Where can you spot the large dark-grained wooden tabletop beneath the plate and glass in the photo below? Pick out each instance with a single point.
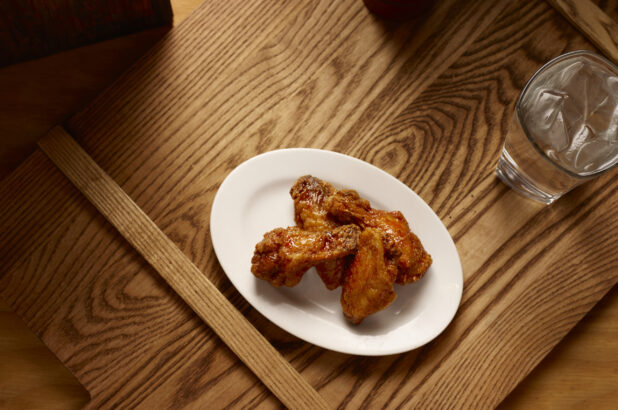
(429, 106)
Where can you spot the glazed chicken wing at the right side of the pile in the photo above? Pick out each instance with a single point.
(405, 255)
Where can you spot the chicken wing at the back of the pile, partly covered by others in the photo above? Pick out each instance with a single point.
(309, 194)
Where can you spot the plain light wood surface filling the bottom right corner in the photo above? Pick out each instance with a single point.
(580, 373)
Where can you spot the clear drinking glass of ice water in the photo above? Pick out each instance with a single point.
(565, 127)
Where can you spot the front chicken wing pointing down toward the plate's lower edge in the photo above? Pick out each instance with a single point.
(368, 285)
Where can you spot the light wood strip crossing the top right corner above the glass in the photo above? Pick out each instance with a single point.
(597, 26)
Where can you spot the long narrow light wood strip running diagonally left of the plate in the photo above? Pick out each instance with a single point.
(179, 272)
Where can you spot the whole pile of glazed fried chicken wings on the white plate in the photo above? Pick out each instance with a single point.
(352, 245)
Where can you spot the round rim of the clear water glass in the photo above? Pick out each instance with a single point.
(524, 91)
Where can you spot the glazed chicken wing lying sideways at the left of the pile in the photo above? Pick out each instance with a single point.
(285, 254)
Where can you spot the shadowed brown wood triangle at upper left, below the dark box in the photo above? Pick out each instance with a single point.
(37, 95)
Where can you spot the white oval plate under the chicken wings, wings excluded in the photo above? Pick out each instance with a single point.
(254, 198)
